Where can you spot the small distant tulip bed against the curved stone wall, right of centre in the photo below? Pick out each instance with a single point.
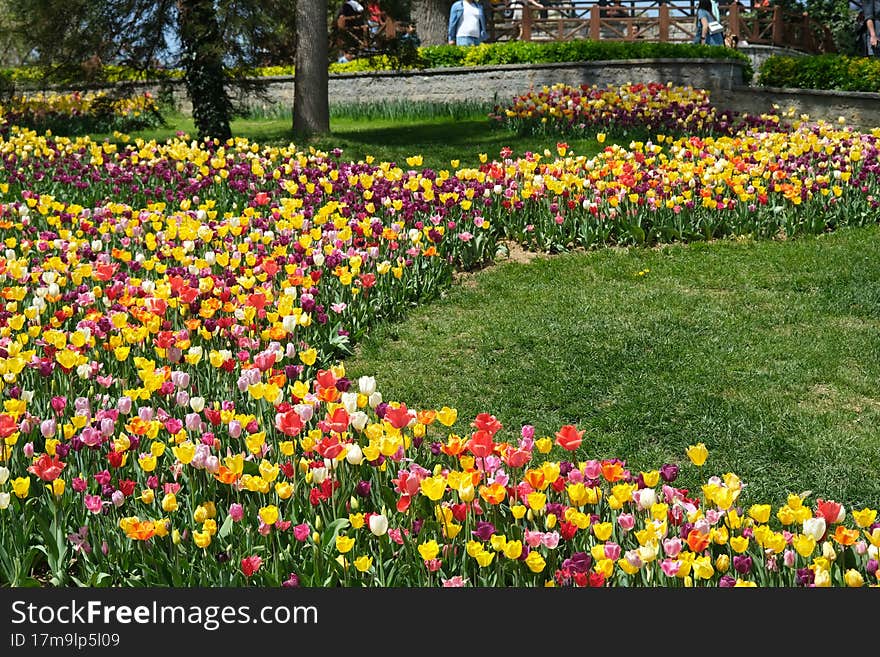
(624, 110)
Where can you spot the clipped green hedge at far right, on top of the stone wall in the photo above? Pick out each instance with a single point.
(828, 72)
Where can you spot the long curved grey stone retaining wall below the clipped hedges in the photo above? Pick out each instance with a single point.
(722, 78)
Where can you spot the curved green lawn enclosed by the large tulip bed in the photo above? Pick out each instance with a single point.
(768, 352)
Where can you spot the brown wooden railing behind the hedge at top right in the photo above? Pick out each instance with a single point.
(652, 20)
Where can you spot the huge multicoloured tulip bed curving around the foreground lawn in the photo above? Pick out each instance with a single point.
(175, 411)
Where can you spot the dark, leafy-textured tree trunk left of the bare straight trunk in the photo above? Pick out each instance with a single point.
(204, 75)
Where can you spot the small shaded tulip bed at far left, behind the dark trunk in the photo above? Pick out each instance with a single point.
(80, 113)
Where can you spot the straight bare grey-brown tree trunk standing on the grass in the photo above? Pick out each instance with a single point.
(311, 105)
